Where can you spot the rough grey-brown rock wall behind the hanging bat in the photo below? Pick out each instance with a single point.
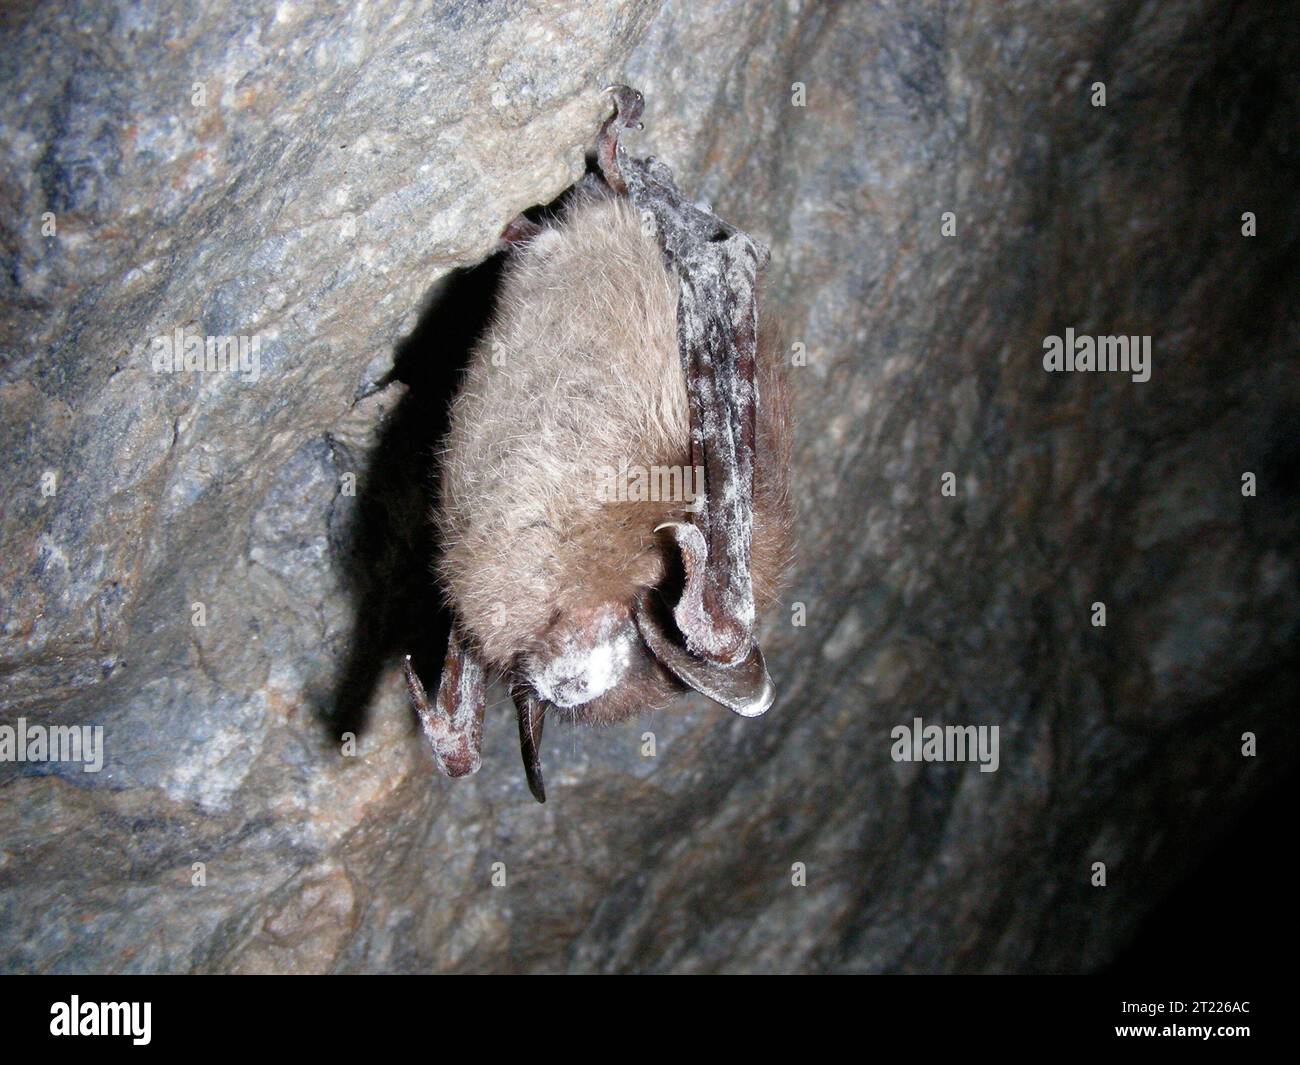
(305, 179)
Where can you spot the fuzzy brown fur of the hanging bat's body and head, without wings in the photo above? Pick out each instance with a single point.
(580, 371)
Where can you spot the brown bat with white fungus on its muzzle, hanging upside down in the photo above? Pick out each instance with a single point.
(627, 343)
